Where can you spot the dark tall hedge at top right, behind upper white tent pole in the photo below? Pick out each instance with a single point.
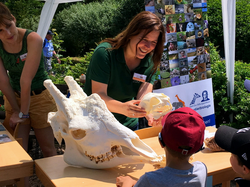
(242, 27)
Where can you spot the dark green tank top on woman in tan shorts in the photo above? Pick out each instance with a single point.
(14, 63)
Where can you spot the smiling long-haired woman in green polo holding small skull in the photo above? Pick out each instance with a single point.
(122, 69)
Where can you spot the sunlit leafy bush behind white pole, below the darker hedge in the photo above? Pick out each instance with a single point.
(223, 108)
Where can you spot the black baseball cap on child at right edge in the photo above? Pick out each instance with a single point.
(236, 141)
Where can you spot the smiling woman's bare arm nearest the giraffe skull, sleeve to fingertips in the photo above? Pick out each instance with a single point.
(129, 109)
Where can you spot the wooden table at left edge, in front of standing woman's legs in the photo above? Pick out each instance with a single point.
(15, 163)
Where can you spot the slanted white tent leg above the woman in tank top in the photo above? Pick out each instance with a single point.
(47, 15)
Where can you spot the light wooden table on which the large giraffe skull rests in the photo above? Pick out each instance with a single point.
(54, 171)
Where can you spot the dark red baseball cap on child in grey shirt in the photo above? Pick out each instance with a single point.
(183, 130)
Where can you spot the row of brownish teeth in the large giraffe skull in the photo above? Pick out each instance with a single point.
(115, 150)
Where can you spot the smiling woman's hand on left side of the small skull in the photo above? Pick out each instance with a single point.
(132, 110)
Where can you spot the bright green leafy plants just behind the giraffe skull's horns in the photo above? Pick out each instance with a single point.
(70, 67)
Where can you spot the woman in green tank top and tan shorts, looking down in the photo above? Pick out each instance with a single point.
(26, 101)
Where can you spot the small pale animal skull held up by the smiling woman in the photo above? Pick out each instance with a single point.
(156, 104)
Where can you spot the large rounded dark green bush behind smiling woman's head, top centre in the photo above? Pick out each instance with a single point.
(82, 25)
